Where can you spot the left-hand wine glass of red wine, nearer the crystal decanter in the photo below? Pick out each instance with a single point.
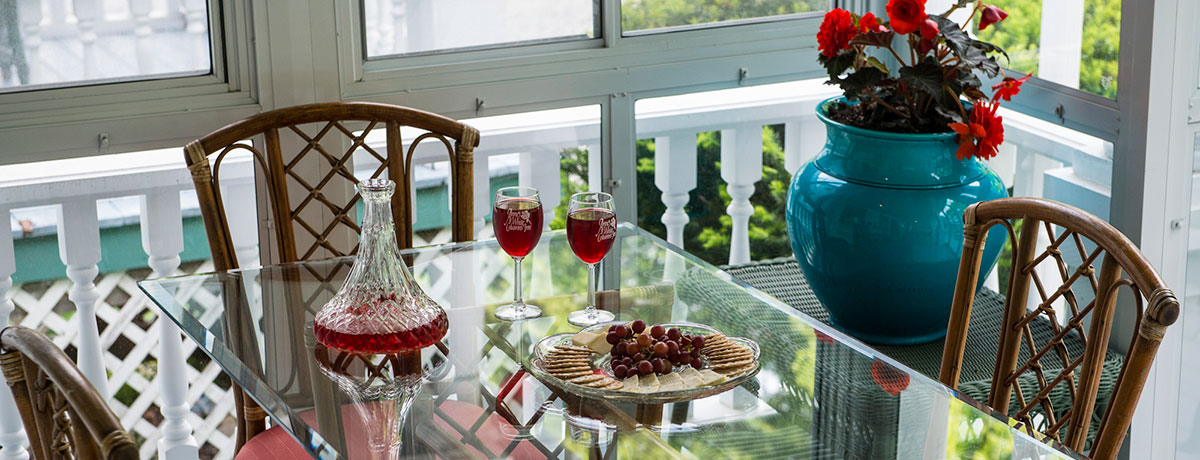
(517, 220)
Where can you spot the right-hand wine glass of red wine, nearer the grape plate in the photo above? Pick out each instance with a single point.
(591, 230)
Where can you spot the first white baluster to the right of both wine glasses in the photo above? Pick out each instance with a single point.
(675, 175)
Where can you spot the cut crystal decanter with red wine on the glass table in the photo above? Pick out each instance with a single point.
(380, 309)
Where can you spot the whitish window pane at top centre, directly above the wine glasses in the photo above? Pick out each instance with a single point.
(412, 27)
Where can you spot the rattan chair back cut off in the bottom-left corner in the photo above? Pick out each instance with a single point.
(63, 414)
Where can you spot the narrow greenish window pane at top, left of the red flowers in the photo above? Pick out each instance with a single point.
(645, 15)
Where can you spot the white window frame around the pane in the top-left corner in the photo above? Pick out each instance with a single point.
(92, 120)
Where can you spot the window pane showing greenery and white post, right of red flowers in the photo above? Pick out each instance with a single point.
(1070, 43)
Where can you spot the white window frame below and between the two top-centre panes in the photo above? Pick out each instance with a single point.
(614, 71)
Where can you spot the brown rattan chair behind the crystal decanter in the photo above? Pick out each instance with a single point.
(291, 194)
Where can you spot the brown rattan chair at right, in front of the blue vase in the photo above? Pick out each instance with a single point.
(1124, 265)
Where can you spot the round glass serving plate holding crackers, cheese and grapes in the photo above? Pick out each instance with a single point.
(537, 367)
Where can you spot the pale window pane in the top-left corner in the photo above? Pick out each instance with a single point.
(61, 44)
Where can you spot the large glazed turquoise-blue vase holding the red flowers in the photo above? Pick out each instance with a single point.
(875, 222)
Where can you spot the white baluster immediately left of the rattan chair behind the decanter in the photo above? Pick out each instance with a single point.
(163, 238)
